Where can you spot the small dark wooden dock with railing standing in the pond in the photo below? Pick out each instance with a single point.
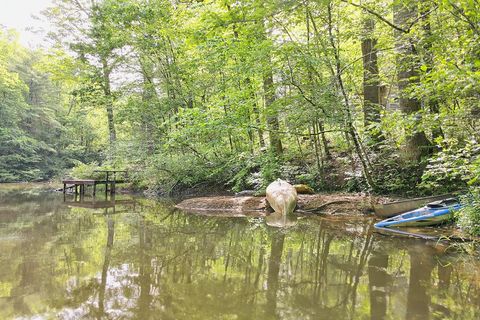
(80, 185)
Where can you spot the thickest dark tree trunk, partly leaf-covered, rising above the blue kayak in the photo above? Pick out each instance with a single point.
(416, 145)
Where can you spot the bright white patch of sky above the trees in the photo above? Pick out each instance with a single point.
(20, 14)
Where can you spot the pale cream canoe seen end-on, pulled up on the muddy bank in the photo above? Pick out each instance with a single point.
(282, 196)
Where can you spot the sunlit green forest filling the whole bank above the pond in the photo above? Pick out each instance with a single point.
(373, 96)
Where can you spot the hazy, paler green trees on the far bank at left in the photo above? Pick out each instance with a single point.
(36, 119)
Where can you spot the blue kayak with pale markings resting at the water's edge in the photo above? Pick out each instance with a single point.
(432, 214)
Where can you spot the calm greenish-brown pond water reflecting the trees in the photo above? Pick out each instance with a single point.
(143, 260)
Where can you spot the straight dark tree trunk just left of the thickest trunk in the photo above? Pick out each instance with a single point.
(371, 81)
